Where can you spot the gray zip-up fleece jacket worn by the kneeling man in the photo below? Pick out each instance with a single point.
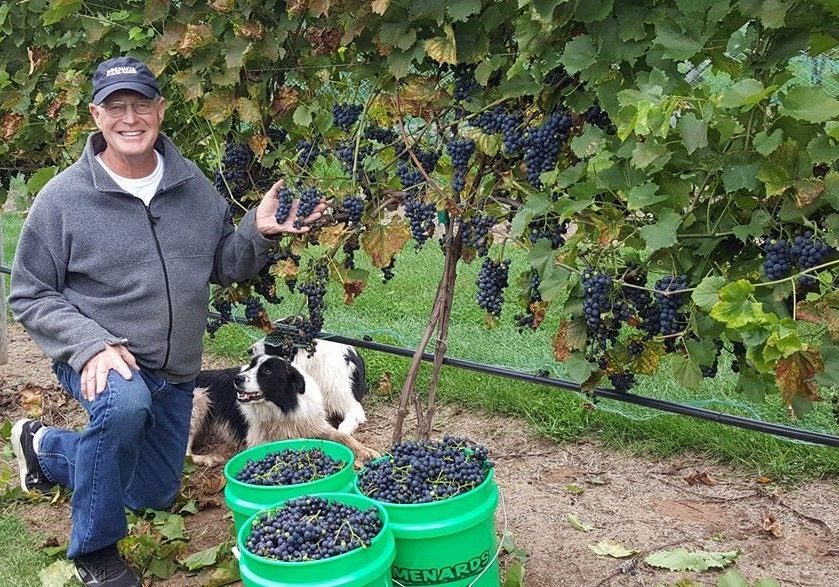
(94, 265)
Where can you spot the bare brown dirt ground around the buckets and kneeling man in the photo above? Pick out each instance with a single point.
(645, 504)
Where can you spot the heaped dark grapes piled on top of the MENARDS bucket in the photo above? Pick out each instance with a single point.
(422, 472)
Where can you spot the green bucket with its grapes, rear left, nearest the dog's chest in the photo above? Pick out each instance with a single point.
(263, 475)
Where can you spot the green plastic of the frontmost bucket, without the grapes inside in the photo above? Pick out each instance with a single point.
(362, 567)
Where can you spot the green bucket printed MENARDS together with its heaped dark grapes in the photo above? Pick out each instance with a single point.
(440, 497)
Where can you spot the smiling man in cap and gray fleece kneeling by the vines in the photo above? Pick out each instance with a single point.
(111, 279)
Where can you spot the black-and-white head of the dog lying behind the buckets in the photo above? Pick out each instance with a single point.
(270, 379)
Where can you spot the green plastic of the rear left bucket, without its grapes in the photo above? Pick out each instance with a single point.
(244, 499)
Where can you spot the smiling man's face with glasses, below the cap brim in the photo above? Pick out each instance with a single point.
(129, 133)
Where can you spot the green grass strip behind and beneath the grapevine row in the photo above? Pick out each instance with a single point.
(396, 313)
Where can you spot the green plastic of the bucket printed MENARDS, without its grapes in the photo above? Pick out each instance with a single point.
(449, 542)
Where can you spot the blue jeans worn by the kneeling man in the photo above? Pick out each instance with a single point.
(130, 455)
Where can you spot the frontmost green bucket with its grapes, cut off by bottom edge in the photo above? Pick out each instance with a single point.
(319, 540)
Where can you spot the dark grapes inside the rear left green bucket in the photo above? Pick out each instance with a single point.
(289, 467)
